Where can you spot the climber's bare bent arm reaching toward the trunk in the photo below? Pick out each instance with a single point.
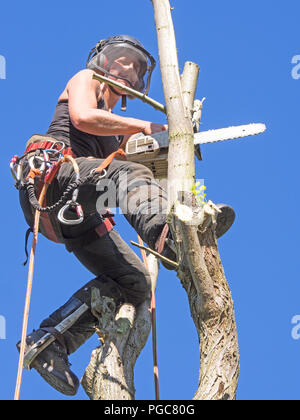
(83, 92)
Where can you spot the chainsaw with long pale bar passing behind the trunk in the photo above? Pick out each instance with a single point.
(152, 151)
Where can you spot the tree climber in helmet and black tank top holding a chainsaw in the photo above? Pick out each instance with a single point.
(84, 124)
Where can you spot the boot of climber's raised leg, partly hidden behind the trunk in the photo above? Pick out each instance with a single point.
(164, 243)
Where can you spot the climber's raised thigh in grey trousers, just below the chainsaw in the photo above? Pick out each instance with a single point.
(130, 186)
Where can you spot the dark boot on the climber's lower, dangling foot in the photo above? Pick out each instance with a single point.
(53, 364)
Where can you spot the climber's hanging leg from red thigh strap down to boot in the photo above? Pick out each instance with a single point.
(121, 276)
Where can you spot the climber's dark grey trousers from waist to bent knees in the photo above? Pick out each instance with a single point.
(142, 201)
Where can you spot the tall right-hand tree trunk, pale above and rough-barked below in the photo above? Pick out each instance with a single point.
(193, 226)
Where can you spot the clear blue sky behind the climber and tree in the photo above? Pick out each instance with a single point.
(245, 51)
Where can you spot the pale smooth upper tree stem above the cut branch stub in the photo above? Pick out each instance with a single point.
(181, 171)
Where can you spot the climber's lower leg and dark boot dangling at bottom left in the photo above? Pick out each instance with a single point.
(52, 363)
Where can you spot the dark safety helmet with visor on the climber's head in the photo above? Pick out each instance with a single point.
(106, 51)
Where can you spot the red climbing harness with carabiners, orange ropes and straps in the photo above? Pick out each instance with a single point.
(45, 163)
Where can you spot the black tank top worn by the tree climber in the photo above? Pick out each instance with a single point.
(81, 143)
